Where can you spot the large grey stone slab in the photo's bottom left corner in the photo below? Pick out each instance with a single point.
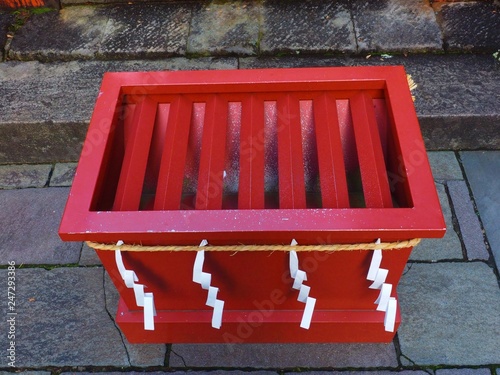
(61, 320)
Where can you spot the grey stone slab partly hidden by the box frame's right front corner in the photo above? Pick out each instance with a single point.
(448, 247)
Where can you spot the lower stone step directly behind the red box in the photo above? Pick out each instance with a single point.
(45, 108)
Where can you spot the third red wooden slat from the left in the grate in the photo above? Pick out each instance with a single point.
(213, 146)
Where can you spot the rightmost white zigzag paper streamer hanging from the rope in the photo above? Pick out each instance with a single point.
(384, 301)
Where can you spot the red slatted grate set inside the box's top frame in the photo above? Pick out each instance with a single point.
(179, 149)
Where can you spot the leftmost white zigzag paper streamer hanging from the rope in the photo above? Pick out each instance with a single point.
(142, 299)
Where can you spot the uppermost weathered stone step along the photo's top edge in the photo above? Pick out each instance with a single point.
(243, 28)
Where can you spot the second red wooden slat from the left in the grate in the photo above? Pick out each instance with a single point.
(171, 174)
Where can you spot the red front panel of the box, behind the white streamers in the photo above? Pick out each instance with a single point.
(337, 280)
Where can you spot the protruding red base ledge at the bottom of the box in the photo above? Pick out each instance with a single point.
(253, 326)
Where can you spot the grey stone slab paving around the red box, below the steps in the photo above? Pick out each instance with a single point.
(65, 302)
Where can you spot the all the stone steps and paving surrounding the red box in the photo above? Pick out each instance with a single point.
(49, 78)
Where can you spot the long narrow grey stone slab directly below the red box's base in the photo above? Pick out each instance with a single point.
(283, 355)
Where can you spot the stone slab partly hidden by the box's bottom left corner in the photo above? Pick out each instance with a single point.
(140, 355)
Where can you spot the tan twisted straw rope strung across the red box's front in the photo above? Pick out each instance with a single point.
(236, 248)
